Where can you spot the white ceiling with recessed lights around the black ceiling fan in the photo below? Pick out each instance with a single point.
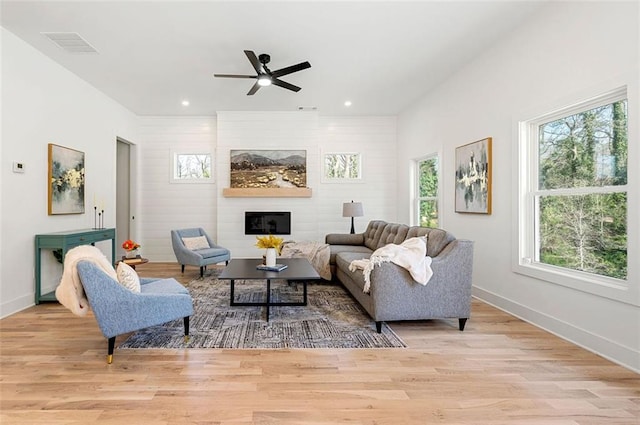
(381, 55)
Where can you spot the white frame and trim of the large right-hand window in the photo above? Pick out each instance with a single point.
(527, 193)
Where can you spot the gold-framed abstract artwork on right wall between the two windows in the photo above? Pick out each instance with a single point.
(473, 177)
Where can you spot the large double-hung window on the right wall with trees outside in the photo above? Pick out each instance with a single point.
(573, 207)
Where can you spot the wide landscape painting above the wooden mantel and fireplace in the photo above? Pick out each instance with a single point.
(268, 169)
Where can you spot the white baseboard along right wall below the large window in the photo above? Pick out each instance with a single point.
(611, 350)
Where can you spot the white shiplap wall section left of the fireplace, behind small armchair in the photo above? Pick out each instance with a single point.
(161, 205)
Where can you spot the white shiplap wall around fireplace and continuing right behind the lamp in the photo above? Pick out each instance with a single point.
(312, 217)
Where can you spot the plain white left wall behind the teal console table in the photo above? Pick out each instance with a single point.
(44, 103)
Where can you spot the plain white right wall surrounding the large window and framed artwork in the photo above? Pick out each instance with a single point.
(566, 50)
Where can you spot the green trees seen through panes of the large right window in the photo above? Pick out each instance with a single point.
(581, 197)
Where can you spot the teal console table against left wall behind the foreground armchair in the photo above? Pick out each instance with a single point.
(66, 241)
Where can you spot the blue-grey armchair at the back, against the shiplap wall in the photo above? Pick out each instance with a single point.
(199, 257)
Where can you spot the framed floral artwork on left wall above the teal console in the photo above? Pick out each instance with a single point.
(65, 180)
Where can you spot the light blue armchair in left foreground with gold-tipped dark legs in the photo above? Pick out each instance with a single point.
(118, 310)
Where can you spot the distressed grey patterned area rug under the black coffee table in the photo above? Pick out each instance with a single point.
(332, 319)
